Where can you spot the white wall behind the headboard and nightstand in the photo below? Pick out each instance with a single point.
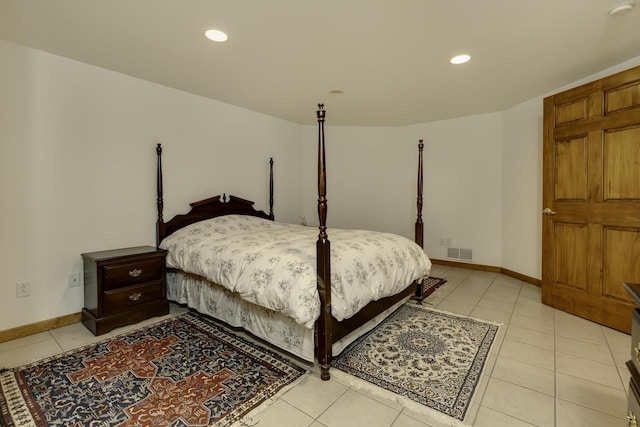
(77, 169)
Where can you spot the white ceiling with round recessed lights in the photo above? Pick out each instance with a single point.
(390, 57)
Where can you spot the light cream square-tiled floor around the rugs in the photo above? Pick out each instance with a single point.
(551, 368)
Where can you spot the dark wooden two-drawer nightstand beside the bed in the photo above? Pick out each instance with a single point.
(123, 286)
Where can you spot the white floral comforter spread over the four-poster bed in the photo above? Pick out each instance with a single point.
(273, 264)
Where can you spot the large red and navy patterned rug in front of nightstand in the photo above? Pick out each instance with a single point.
(184, 371)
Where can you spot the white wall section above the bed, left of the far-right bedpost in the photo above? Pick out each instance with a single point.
(371, 178)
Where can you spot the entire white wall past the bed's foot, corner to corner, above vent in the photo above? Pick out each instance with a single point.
(372, 175)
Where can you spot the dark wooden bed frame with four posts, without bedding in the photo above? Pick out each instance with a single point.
(327, 330)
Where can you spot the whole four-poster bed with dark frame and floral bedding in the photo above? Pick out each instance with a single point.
(233, 262)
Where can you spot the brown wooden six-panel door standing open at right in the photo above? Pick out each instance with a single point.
(591, 199)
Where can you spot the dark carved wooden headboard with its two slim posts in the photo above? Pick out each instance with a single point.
(205, 209)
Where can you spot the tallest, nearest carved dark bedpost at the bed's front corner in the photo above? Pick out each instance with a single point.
(323, 325)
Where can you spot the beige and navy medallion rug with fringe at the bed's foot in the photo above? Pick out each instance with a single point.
(429, 361)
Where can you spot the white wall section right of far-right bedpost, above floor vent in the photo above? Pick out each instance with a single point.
(463, 185)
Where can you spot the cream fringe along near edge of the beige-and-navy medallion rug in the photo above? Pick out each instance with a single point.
(434, 416)
